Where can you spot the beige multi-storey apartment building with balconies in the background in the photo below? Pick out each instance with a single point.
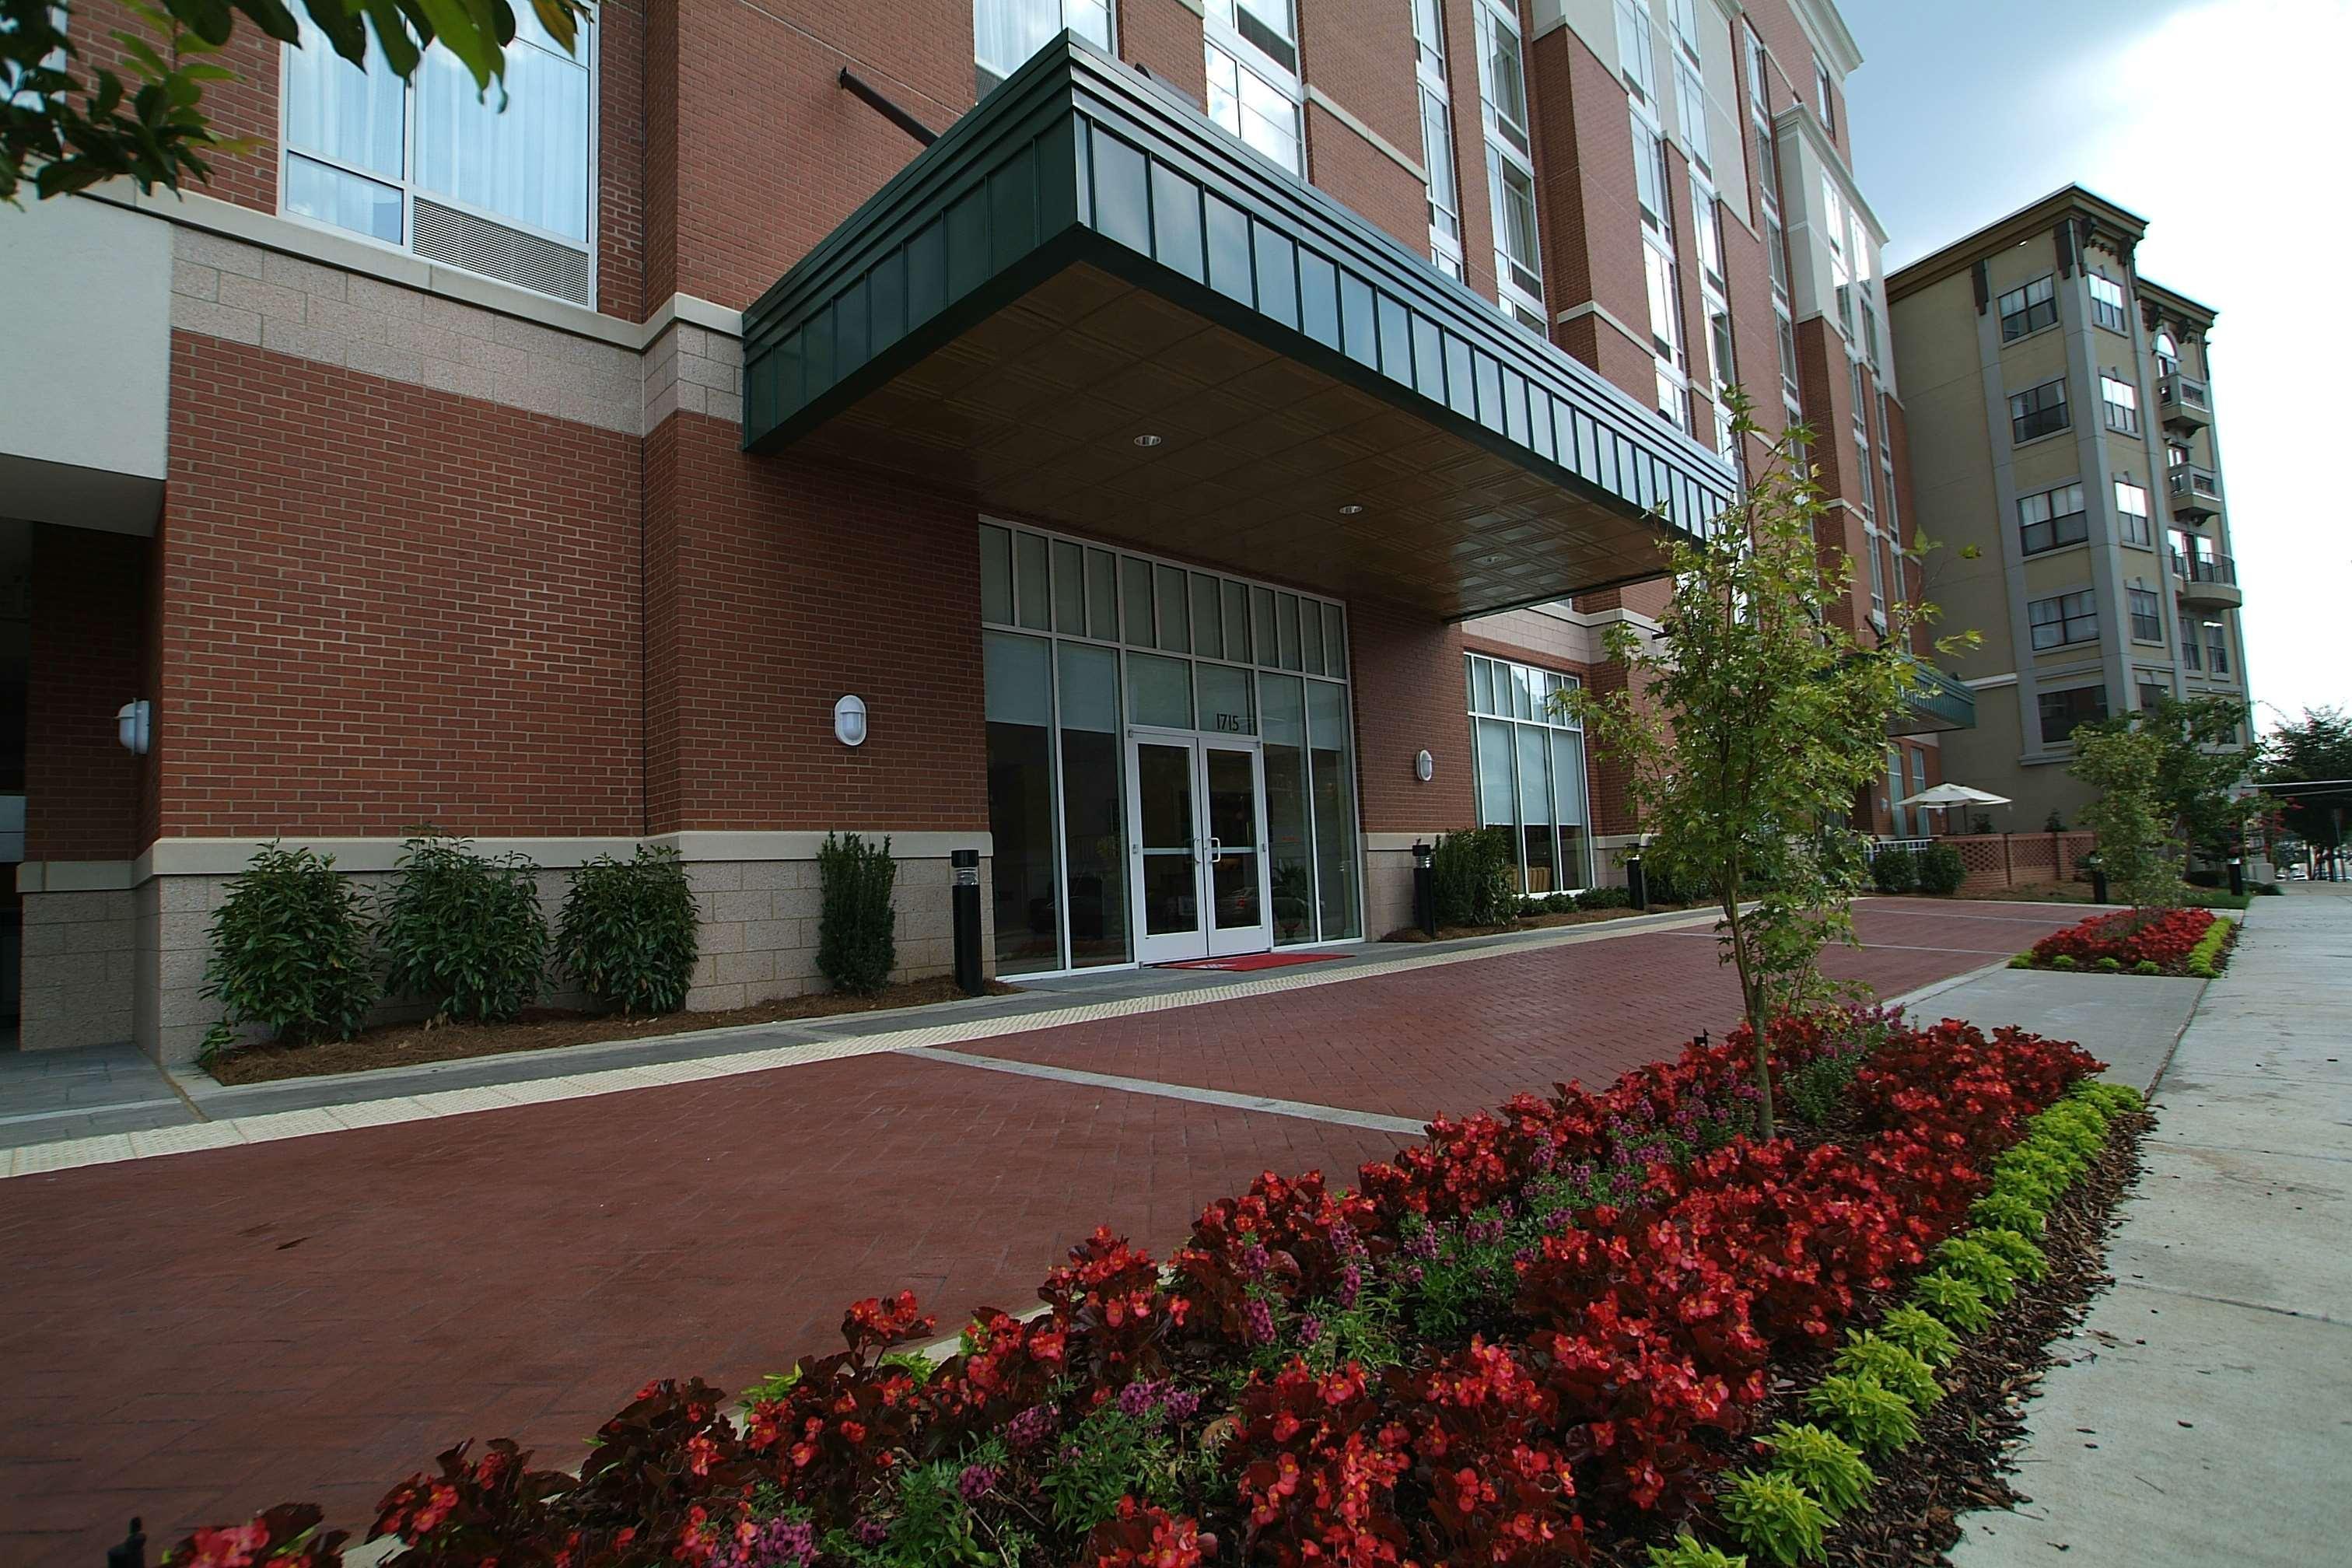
(2064, 455)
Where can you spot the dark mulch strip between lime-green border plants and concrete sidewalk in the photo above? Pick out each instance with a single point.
(1960, 1461)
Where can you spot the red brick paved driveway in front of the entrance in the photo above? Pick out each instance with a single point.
(199, 1336)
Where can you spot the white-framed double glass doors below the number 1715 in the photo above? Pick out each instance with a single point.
(1201, 847)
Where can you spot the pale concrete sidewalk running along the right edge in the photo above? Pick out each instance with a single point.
(2205, 1412)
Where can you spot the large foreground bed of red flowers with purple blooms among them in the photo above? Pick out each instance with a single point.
(1582, 1294)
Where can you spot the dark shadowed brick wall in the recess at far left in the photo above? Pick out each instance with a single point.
(88, 657)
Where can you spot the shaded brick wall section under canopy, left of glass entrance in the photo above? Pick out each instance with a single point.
(775, 589)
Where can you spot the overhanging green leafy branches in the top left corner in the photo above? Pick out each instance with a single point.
(69, 123)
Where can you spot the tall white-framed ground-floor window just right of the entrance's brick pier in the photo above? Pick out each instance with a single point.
(1530, 770)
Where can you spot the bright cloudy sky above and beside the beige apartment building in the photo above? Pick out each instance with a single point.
(2224, 126)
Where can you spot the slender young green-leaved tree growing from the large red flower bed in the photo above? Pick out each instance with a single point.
(1751, 725)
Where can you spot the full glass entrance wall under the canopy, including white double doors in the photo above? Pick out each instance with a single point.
(1201, 711)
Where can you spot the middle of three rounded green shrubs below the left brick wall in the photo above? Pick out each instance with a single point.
(465, 932)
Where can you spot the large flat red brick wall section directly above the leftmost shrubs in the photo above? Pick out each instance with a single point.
(387, 605)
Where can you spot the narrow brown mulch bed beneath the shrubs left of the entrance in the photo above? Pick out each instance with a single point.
(547, 1028)
